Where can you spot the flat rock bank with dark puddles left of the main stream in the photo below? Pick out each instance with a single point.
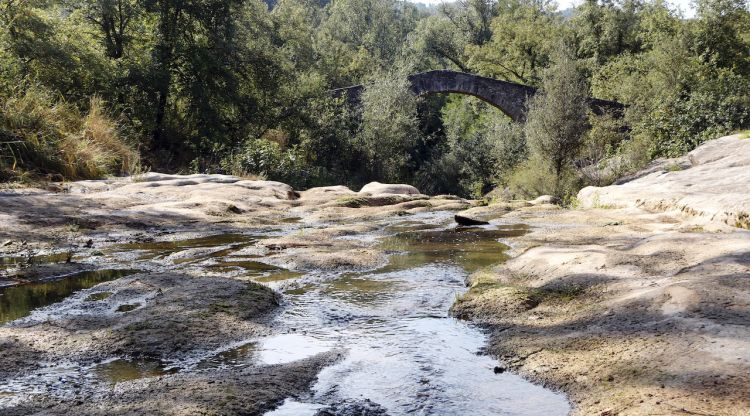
(154, 294)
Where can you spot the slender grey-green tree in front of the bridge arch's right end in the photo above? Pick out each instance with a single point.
(557, 117)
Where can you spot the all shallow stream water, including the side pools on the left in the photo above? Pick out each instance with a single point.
(401, 349)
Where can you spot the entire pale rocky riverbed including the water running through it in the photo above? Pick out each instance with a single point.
(183, 294)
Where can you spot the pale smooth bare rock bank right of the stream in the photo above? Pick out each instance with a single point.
(637, 304)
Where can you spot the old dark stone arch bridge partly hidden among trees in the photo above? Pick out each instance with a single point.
(509, 97)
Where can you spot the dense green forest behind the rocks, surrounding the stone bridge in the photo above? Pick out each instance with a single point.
(90, 88)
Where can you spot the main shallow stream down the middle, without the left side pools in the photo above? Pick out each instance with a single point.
(403, 351)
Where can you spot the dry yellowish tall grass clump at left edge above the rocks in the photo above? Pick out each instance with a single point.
(46, 138)
